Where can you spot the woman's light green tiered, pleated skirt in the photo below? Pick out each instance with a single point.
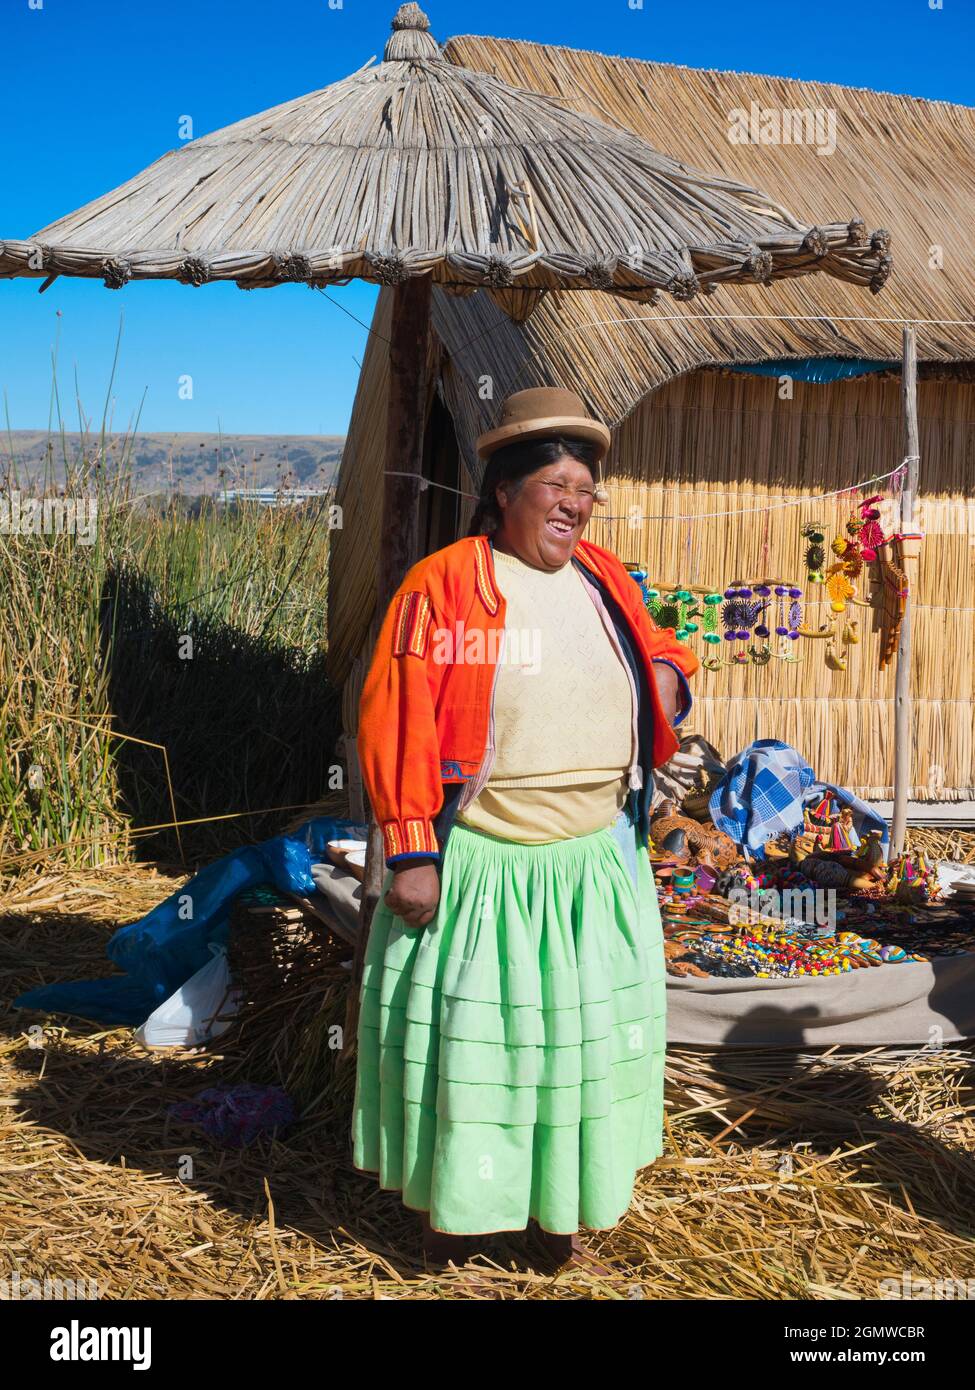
(511, 1053)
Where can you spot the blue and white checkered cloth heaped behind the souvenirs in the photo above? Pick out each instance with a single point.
(766, 790)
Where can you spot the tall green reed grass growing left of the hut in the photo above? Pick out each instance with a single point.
(173, 665)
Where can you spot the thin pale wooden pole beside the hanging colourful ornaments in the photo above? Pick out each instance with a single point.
(903, 710)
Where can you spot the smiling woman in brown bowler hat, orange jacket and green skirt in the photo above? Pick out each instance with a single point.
(513, 1022)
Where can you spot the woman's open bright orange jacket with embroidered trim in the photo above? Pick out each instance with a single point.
(426, 719)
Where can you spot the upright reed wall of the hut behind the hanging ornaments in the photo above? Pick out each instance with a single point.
(717, 443)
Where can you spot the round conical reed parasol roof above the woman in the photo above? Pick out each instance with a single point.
(418, 165)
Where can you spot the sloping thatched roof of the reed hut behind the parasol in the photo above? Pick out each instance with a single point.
(903, 163)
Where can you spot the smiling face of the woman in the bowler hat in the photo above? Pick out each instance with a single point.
(546, 515)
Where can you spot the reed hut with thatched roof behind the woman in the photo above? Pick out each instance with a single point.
(736, 405)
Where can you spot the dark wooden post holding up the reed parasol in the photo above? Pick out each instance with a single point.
(407, 408)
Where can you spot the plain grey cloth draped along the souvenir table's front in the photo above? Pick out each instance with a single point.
(913, 1003)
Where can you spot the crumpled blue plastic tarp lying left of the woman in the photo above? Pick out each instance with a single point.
(173, 942)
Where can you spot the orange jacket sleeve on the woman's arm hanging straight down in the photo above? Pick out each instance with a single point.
(398, 743)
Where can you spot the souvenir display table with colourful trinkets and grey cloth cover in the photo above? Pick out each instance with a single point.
(885, 972)
